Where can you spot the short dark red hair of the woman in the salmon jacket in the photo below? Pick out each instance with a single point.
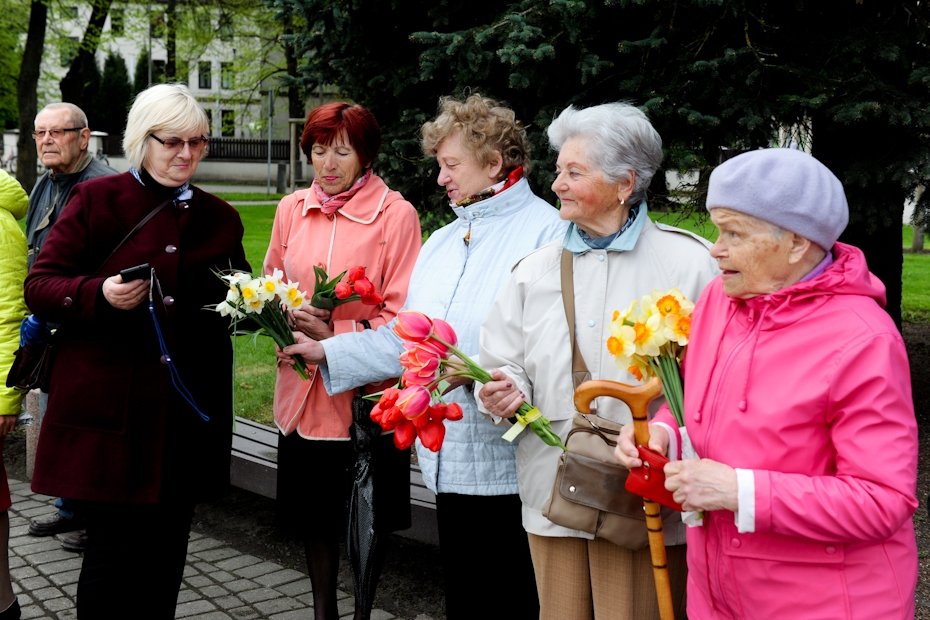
(326, 122)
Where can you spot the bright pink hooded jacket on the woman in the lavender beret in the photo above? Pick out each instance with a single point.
(810, 389)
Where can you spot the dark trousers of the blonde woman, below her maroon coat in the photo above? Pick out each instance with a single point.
(134, 560)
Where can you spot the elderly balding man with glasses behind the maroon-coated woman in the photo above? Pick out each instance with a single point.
(62, 138)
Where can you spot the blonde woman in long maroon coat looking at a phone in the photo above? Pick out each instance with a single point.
(139, 421)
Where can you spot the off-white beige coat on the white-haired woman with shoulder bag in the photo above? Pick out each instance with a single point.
(526, 335)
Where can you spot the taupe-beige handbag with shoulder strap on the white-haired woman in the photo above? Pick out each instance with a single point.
(589, 493)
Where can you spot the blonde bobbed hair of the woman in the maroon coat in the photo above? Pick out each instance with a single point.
(167, 107)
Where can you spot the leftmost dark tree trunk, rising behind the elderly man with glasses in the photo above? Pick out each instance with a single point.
(26, 98)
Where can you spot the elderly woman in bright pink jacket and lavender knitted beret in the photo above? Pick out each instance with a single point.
(798, 403)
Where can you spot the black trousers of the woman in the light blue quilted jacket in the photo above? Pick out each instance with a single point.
(481, 540)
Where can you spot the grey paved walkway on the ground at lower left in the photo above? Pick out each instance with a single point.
(220, 583)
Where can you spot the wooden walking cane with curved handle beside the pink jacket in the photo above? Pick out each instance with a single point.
(637, 399)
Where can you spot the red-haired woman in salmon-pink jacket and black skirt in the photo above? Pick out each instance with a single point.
(348, 217)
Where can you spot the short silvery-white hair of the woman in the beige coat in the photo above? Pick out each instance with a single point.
(618, 138)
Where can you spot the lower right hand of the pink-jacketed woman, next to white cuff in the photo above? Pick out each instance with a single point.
(702, 484)
